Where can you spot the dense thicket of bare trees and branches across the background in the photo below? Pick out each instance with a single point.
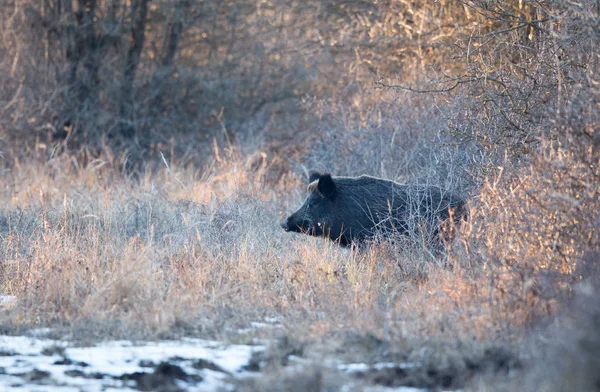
(145, 71)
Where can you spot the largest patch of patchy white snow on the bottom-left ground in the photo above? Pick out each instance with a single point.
(19, 355)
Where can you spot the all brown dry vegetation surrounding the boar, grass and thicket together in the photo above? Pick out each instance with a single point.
(149, 150)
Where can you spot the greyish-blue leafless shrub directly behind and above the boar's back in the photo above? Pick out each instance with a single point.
(387, 139)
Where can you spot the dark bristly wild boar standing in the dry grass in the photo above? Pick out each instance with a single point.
(352, 209)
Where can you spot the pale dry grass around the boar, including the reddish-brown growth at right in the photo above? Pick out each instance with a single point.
(97, 253)
